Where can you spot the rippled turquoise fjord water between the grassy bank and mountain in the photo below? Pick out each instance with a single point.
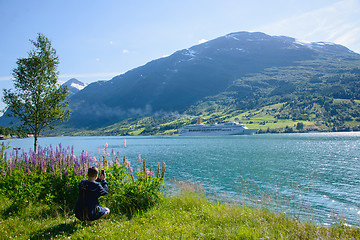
(314, 176)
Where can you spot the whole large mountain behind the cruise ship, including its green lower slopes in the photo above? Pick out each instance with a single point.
(275, 83)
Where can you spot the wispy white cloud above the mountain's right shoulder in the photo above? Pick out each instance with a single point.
(338, 23)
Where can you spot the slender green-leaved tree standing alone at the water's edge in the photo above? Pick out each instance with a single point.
(38, 102)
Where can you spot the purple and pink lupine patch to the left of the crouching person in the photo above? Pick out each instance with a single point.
(45, 176)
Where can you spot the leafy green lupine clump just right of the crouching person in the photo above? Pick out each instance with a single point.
(129, 194)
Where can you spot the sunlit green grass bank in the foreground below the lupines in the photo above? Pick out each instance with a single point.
(187, 215)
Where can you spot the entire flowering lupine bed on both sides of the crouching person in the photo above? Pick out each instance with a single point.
(52, 177)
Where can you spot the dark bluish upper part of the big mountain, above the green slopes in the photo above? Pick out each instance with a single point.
(245, 65)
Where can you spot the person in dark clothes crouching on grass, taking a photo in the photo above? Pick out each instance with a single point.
(87, 206)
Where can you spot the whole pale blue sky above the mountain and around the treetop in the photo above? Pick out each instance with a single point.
(97, 40)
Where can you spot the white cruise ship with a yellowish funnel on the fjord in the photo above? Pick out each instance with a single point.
(229, 128)
